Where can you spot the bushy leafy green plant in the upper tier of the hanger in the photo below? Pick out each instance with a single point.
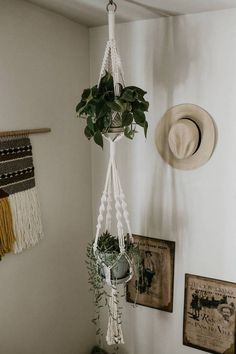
(101, 108)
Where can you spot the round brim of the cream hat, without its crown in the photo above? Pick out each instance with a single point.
(206, 126)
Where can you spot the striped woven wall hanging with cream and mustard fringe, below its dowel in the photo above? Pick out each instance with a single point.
(20, 221)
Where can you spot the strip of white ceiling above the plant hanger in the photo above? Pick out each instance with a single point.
(93, 13)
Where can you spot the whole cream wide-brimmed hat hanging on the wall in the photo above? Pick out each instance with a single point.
(186, 136)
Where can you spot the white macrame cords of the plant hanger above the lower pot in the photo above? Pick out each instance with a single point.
(112, 63)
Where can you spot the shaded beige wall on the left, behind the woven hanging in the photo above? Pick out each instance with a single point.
(44, 302)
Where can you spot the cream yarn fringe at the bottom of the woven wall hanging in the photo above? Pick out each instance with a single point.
(26, 219)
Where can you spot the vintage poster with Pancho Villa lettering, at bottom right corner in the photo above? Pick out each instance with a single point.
(209, 314)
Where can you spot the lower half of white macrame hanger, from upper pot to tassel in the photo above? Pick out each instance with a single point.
(113, 193)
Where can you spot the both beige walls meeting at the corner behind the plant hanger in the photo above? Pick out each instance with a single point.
(44, 302)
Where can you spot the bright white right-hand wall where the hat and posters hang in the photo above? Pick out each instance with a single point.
(177, 60)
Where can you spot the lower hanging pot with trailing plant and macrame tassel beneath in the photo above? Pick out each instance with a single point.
(121, 269)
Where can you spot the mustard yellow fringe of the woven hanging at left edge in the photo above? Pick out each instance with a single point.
(7, 236)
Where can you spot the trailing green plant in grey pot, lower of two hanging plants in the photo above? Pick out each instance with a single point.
(108, 253)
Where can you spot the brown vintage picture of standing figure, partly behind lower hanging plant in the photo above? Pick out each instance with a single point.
(153, 285)
